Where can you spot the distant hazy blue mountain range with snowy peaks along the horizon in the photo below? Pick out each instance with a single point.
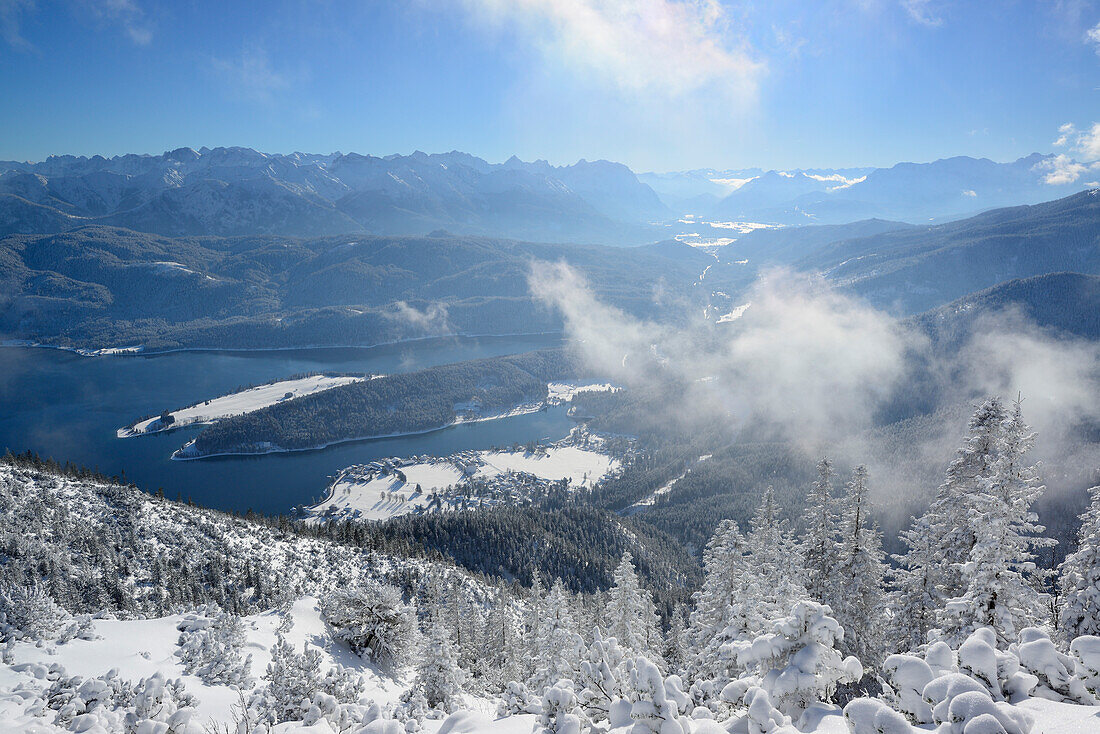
(239, 191)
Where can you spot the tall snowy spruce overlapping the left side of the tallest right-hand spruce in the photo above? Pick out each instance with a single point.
(949, 516)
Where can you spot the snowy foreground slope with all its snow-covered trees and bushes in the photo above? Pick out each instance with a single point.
(122, 612)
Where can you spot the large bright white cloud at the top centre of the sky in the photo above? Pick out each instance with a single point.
(637, 46)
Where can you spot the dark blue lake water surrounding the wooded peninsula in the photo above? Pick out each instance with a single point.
(69, 408)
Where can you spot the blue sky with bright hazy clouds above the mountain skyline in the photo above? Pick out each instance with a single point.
(656, 84)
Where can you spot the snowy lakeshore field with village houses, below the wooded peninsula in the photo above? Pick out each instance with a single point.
(373, 495)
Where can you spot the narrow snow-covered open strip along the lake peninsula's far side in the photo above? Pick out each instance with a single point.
(245, 401)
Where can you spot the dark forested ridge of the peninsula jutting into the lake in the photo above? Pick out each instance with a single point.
(408, 403)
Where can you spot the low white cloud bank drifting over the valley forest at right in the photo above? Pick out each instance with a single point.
(816, 368)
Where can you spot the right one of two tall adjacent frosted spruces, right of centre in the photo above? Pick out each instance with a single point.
(861, 605)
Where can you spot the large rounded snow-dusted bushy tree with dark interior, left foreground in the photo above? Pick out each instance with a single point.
(376, 622)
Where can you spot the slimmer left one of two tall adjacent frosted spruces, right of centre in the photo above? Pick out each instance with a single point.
(820, 546)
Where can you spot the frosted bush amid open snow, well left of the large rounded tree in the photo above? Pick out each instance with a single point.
(211, 649)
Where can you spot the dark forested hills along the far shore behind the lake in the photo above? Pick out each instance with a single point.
(101, 287)
